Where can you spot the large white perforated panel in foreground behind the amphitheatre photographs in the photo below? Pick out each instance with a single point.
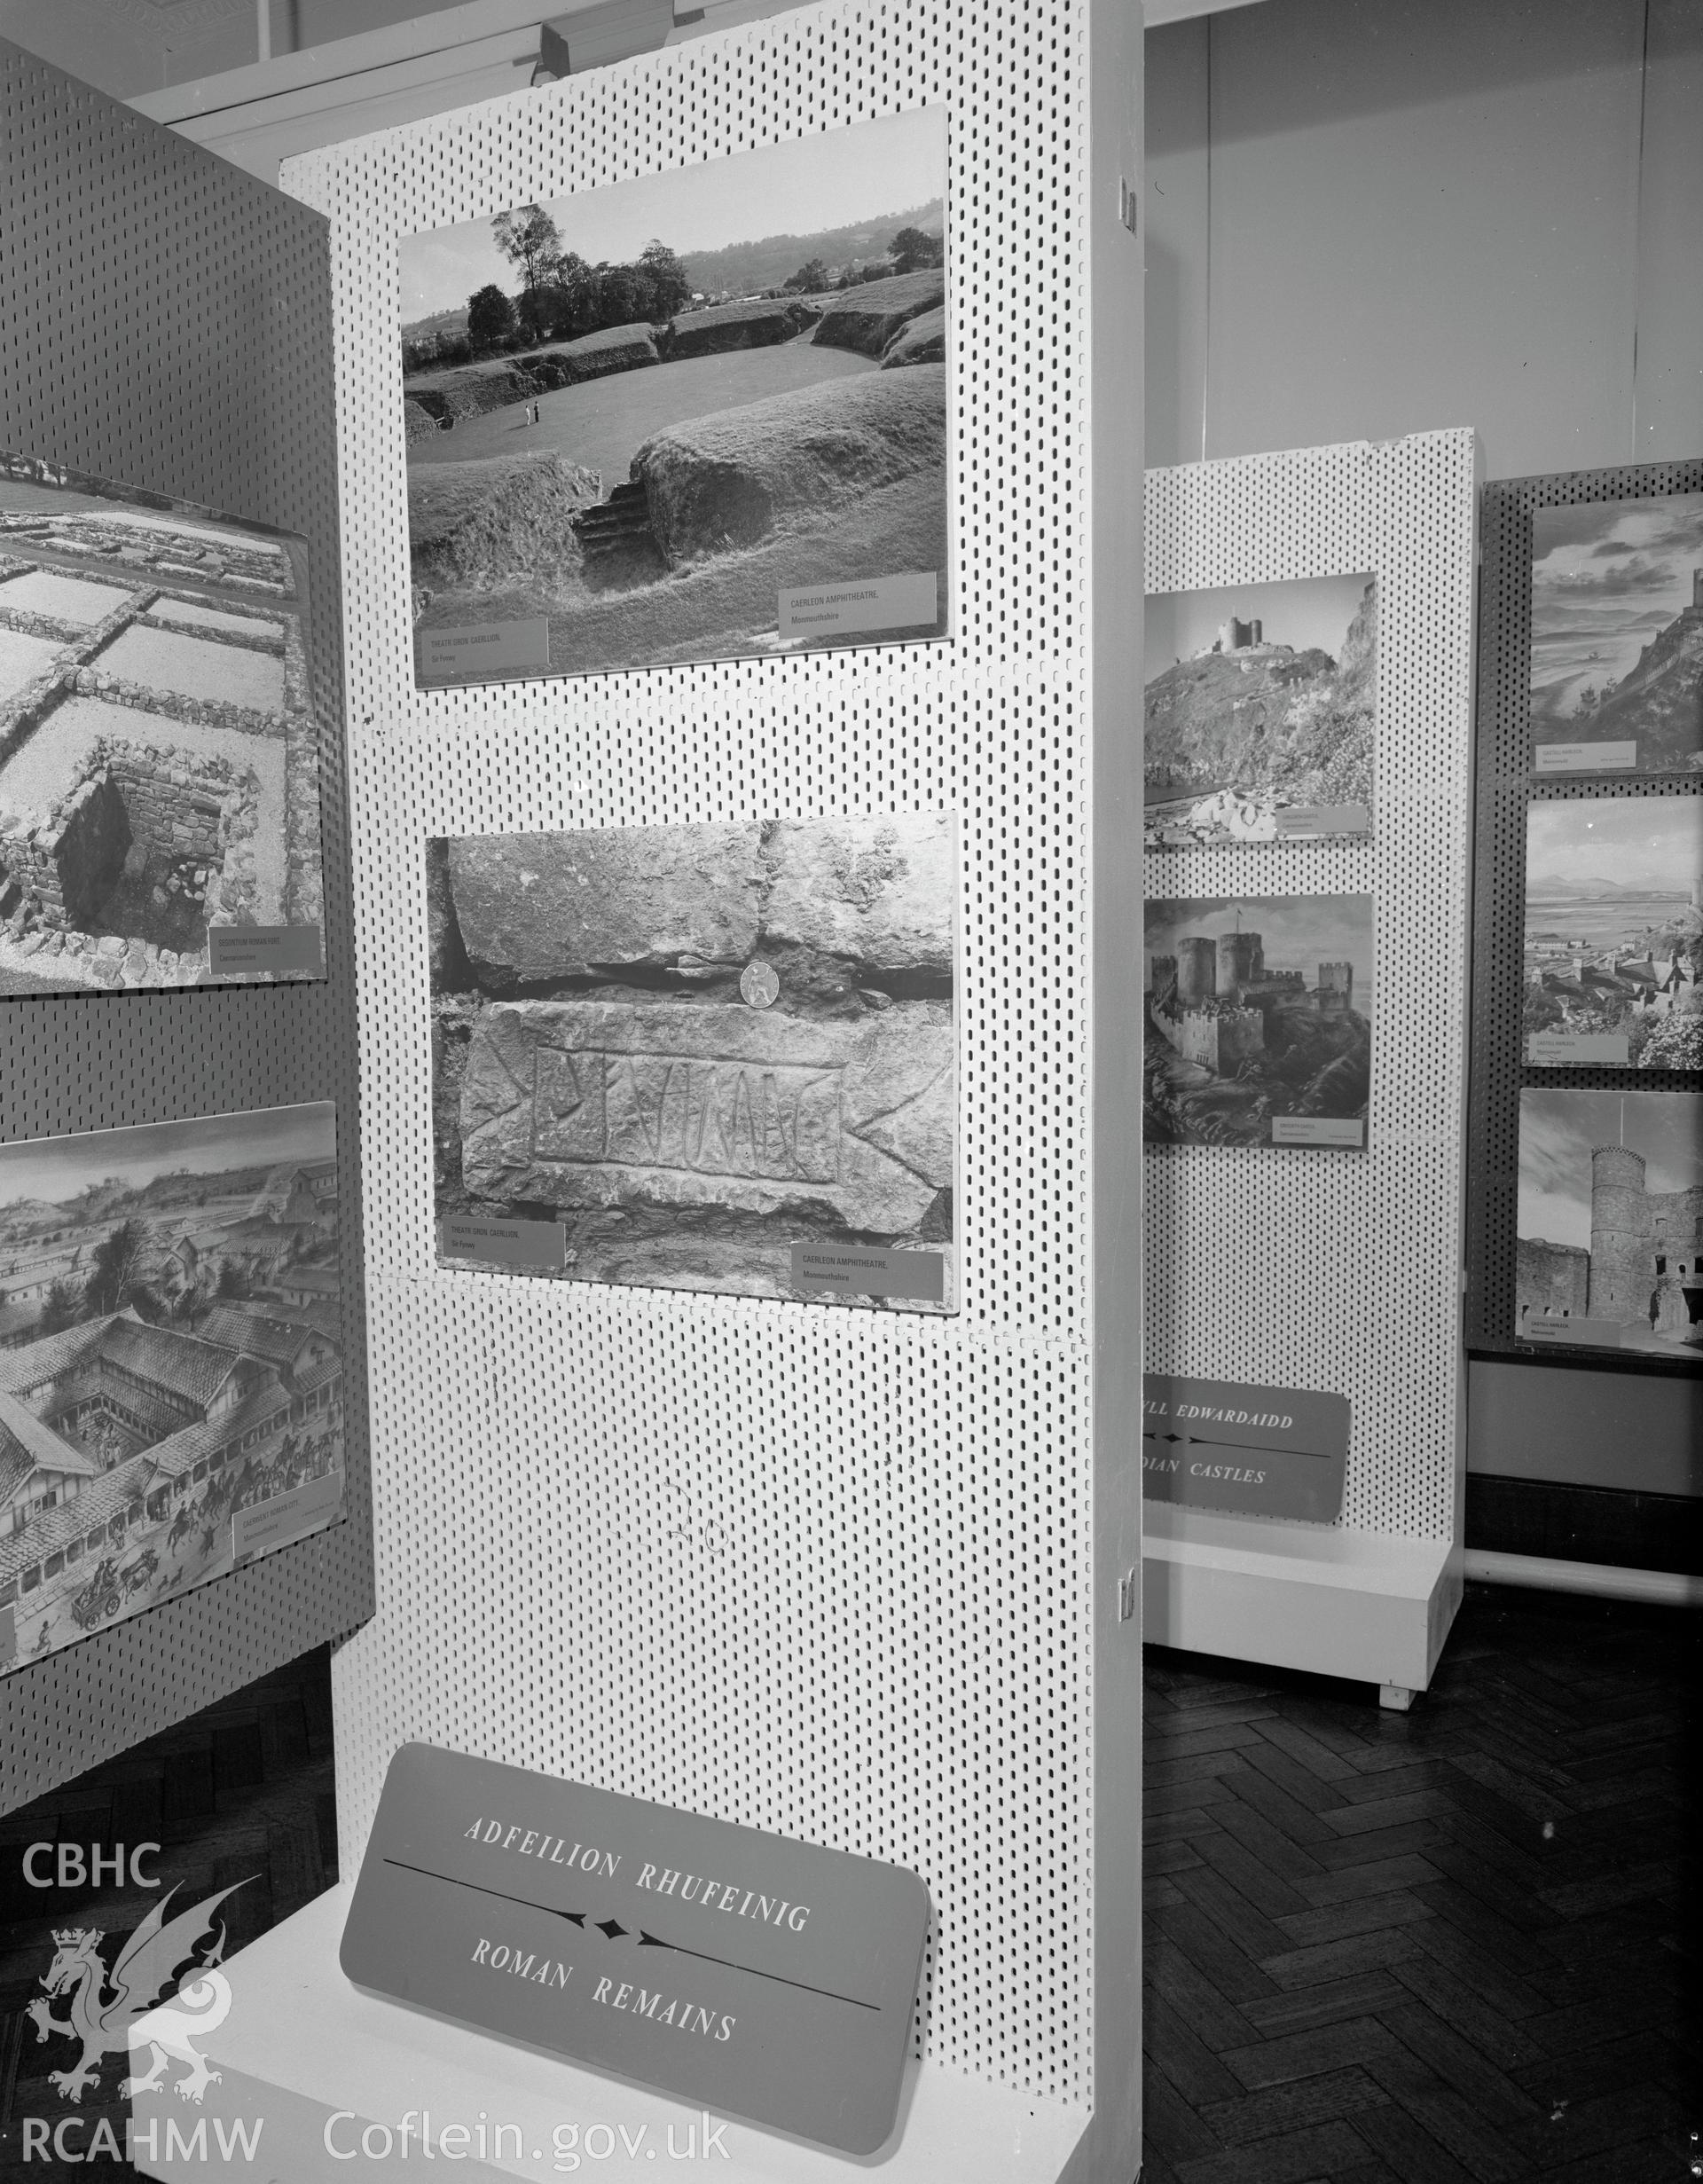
(813, 1569)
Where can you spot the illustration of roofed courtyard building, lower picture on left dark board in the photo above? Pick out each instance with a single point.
(171, 1364)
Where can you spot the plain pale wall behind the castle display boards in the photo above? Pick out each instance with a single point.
(1370, 217)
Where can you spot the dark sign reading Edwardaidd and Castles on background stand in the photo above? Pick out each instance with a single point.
(1263, 1451)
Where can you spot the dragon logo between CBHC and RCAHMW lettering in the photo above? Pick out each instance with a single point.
(104, 2008)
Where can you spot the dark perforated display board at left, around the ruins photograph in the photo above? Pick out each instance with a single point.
(167, 322)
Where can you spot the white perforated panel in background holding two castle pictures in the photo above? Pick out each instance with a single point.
(1331, 1270)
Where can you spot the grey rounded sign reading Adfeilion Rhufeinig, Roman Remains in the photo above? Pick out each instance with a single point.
(741, 1971)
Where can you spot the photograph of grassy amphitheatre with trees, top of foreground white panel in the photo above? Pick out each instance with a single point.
(691, 416)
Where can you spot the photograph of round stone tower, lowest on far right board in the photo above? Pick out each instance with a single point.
(1610, 1231)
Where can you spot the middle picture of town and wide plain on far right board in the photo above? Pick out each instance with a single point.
(1615, 934)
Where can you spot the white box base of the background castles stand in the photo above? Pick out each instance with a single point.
(1324, 1598)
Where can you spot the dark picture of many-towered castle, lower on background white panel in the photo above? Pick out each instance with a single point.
(1259, 1023)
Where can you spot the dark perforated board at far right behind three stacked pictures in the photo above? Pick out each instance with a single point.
(1505, 790)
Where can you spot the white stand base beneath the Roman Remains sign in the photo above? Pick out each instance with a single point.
(300, 2045)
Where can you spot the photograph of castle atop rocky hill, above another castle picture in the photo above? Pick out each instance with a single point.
(1261, 713)
